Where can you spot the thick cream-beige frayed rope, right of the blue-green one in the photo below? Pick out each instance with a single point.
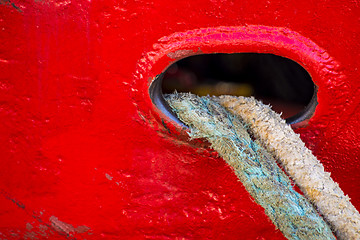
(298, 161)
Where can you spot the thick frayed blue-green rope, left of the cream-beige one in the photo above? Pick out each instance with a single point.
(291, 213)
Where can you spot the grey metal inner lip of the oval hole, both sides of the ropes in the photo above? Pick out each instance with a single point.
(159, 101)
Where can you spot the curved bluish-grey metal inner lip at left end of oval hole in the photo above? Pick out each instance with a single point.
(159, 101)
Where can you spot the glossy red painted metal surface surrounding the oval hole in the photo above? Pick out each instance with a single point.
(83, 152)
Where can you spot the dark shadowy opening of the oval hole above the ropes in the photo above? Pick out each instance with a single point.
(275, 80)
